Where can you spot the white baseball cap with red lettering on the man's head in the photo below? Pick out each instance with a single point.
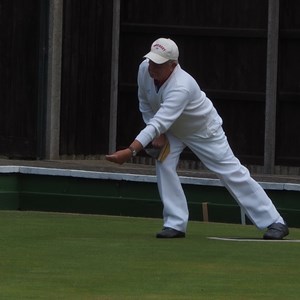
(163, 50)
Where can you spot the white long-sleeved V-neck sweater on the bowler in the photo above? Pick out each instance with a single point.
(178, 106)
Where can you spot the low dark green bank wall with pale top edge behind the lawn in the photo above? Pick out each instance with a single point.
(77, 191)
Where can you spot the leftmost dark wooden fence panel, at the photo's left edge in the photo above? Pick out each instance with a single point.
(19, 61)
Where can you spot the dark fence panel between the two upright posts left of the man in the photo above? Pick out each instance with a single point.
(86, 77)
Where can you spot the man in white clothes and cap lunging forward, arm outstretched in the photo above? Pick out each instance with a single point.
(175, 109)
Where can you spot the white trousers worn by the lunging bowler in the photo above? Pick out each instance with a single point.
(216, 154)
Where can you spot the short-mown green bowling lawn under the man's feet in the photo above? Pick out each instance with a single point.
(64, 256)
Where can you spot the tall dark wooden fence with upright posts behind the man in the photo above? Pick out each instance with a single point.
(224, 44)
